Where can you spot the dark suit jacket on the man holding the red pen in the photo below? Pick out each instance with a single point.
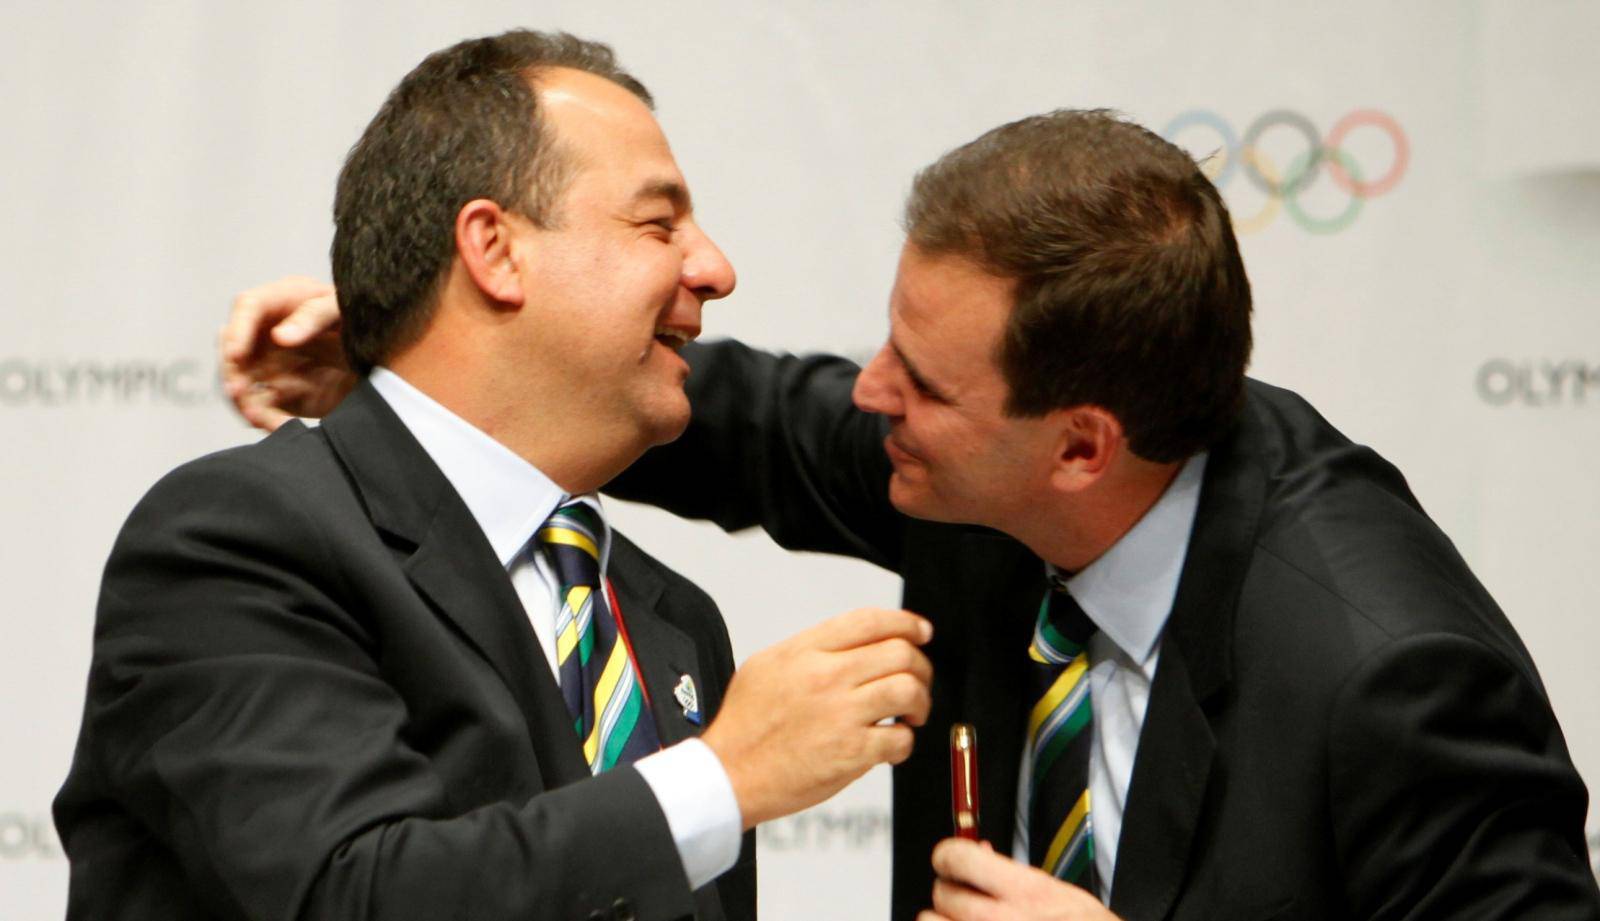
(1343, 725)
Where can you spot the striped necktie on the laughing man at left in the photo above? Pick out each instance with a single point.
(599, 680)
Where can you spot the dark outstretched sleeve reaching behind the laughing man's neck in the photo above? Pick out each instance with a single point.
(775, 442)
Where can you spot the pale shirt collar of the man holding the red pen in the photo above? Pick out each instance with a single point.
(1129, 591)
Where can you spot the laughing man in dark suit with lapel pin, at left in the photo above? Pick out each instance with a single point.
(396, 666)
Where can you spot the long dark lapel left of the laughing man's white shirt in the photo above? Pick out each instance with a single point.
(454, 567)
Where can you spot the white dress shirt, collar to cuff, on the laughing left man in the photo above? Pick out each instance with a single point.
(511, 500)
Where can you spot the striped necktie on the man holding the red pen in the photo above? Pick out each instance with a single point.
(1060, 834)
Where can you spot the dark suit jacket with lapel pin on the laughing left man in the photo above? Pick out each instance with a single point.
(314, 695)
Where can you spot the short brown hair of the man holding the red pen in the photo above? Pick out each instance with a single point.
(1130, 292)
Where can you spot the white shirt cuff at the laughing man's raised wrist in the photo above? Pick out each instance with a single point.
(703, 815)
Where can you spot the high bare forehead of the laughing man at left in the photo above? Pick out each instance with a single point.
(606, 129)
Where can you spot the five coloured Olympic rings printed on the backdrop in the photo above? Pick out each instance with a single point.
(1284, 189)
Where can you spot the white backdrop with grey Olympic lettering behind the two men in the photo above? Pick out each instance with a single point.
(162, 156)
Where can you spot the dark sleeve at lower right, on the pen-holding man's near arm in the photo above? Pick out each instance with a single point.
(1454, 795)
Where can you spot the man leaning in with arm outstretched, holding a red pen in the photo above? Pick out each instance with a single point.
(1302, 703)
